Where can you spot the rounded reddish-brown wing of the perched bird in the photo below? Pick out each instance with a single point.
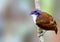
(46, 21)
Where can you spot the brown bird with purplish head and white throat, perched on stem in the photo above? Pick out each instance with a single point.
(44, 21)
